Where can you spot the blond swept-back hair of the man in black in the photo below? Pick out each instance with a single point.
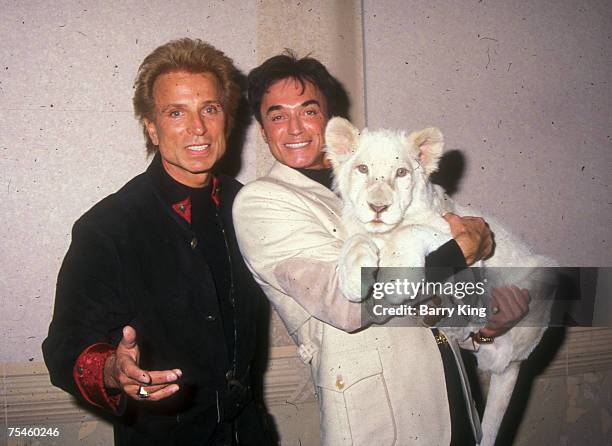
(192, 56)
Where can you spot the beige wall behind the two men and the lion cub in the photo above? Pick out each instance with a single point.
(521, 89)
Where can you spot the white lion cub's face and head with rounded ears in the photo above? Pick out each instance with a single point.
(378, 172)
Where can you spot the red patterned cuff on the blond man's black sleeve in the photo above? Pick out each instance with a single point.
(88, 374)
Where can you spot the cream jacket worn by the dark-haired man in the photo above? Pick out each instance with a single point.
(379, 385)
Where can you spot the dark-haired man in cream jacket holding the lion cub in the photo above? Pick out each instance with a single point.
(384, 385)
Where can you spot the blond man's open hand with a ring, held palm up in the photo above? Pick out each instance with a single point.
(121, 371)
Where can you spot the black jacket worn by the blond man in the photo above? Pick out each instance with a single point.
(133, 261)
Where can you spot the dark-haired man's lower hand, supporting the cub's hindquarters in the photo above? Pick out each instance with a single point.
(508, 306)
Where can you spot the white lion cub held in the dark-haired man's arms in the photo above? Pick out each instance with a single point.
(393, 216)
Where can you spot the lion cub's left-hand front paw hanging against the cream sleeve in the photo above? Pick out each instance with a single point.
(358, 251)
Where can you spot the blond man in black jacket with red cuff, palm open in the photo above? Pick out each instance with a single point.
(155, 312)
